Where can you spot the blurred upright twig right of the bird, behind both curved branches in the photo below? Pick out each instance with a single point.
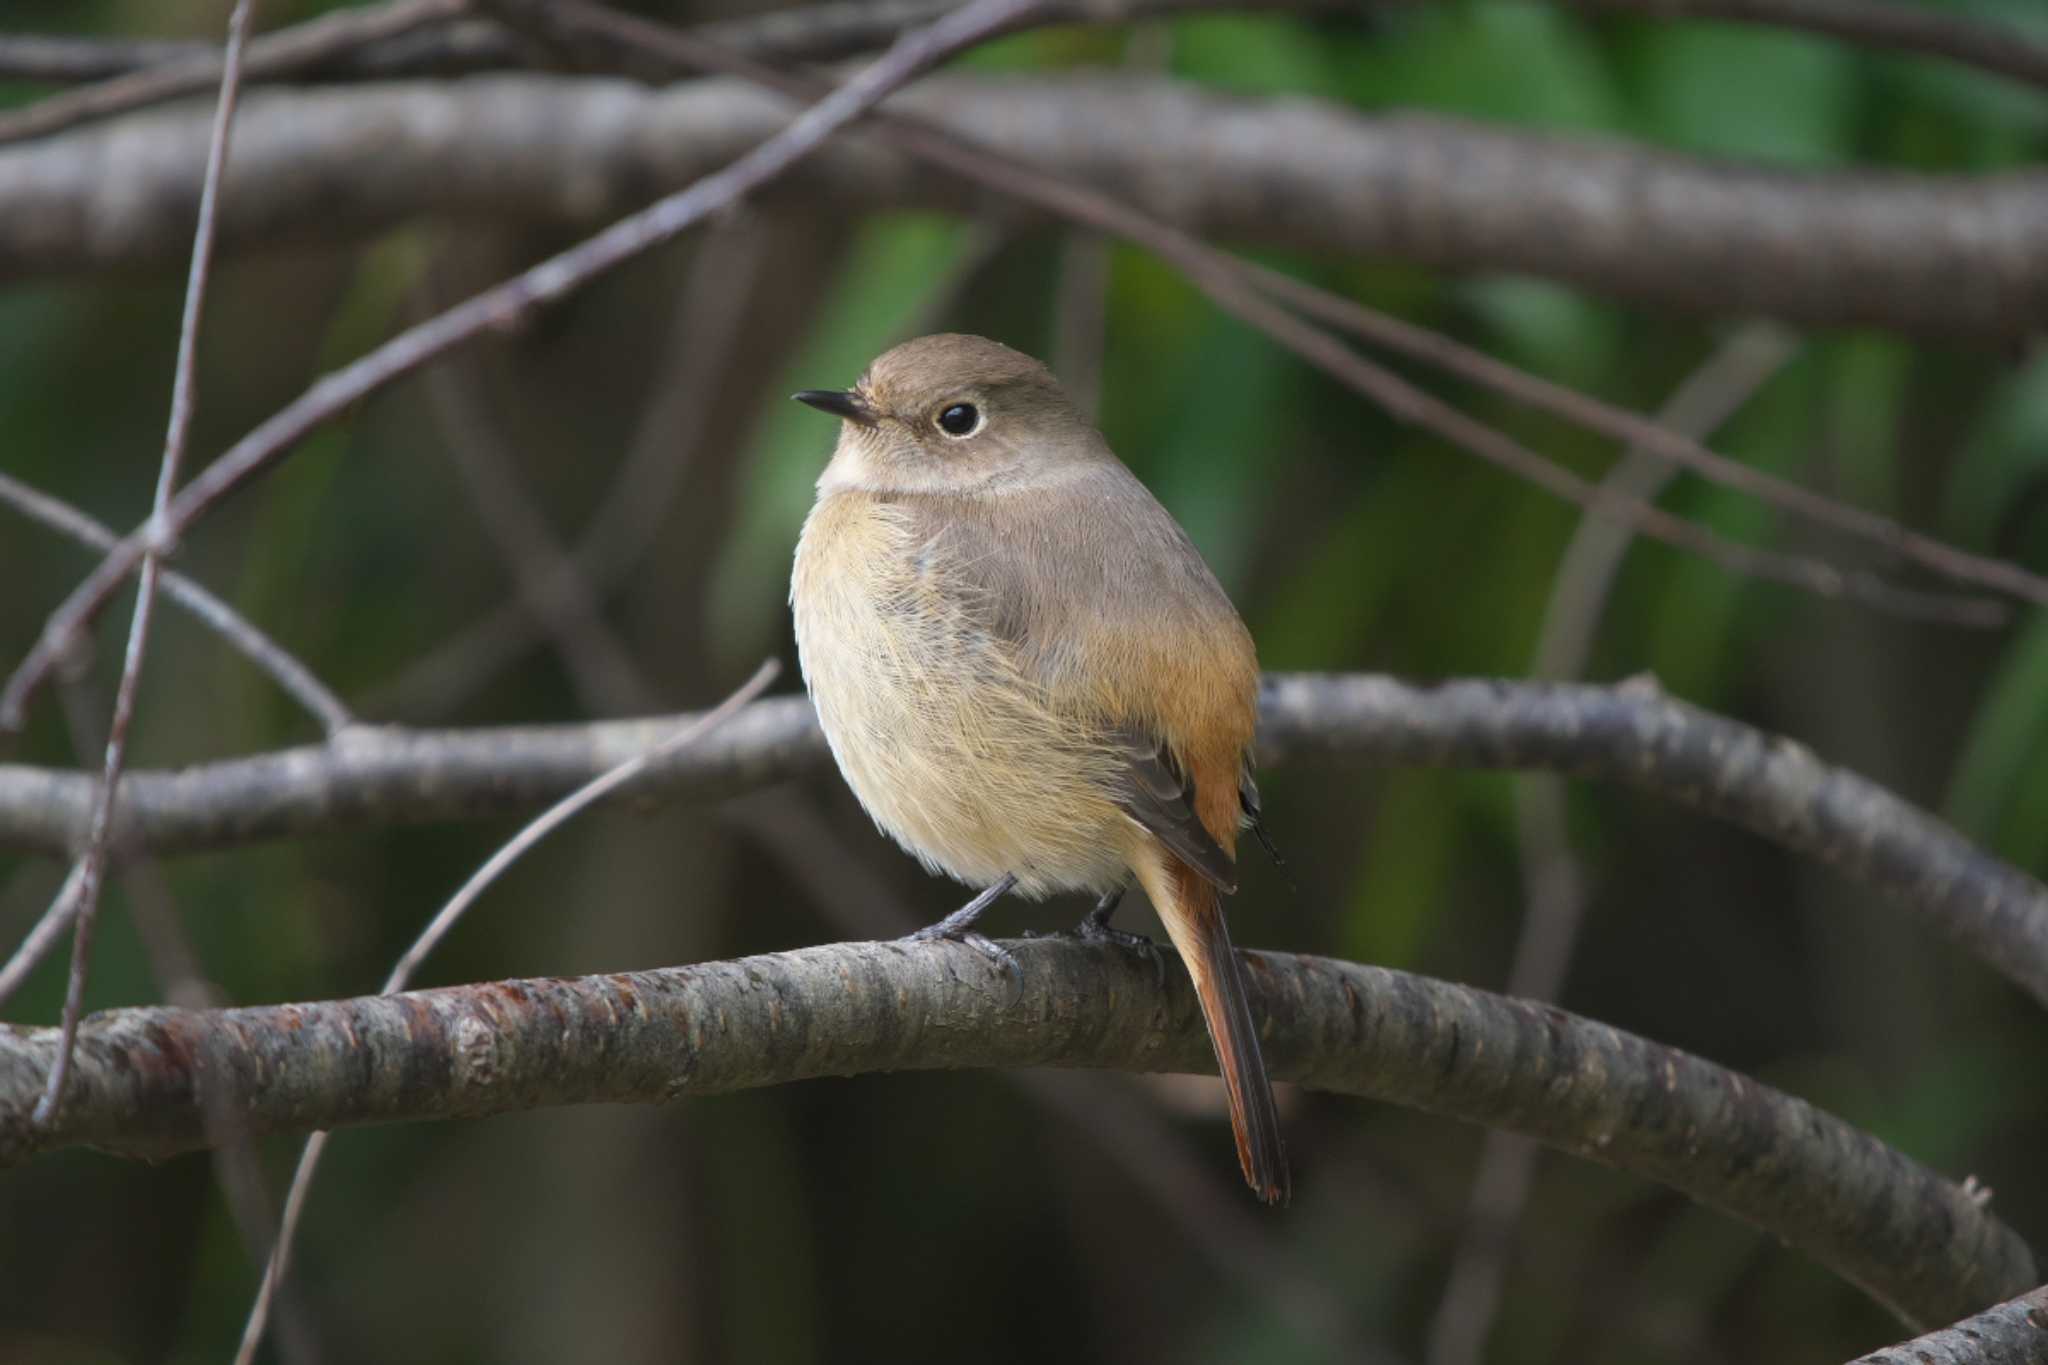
(1553, 889)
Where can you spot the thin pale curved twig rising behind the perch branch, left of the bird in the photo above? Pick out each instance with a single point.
(443, 924)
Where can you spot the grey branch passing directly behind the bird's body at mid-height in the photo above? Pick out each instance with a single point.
(1631, 736)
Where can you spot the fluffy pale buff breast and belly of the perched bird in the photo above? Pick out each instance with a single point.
(964, 762)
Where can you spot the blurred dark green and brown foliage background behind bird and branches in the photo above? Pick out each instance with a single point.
(1043, 1217)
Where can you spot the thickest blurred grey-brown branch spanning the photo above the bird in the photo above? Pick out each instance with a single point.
(1916, 253)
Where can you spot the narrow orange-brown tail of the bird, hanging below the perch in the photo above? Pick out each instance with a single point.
(1193, 916)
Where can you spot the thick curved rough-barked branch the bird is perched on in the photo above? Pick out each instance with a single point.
(1912, 1239)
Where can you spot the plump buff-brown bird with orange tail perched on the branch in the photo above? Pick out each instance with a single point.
(1027, 672)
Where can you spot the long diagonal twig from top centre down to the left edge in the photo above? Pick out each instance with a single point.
(501, 306)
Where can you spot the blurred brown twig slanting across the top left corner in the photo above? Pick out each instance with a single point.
(271, 56)
